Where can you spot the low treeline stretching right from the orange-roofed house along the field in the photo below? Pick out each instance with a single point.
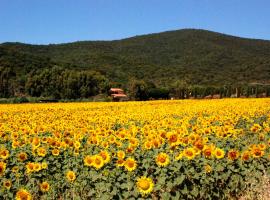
(141, 90)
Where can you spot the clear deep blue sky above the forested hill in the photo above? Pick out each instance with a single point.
(58, 21)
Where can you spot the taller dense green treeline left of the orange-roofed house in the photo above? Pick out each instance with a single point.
(56, 82)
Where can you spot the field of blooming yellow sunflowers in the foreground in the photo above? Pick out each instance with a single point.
(179, 149)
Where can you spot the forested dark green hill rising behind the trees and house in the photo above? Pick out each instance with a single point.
(197, 57)
